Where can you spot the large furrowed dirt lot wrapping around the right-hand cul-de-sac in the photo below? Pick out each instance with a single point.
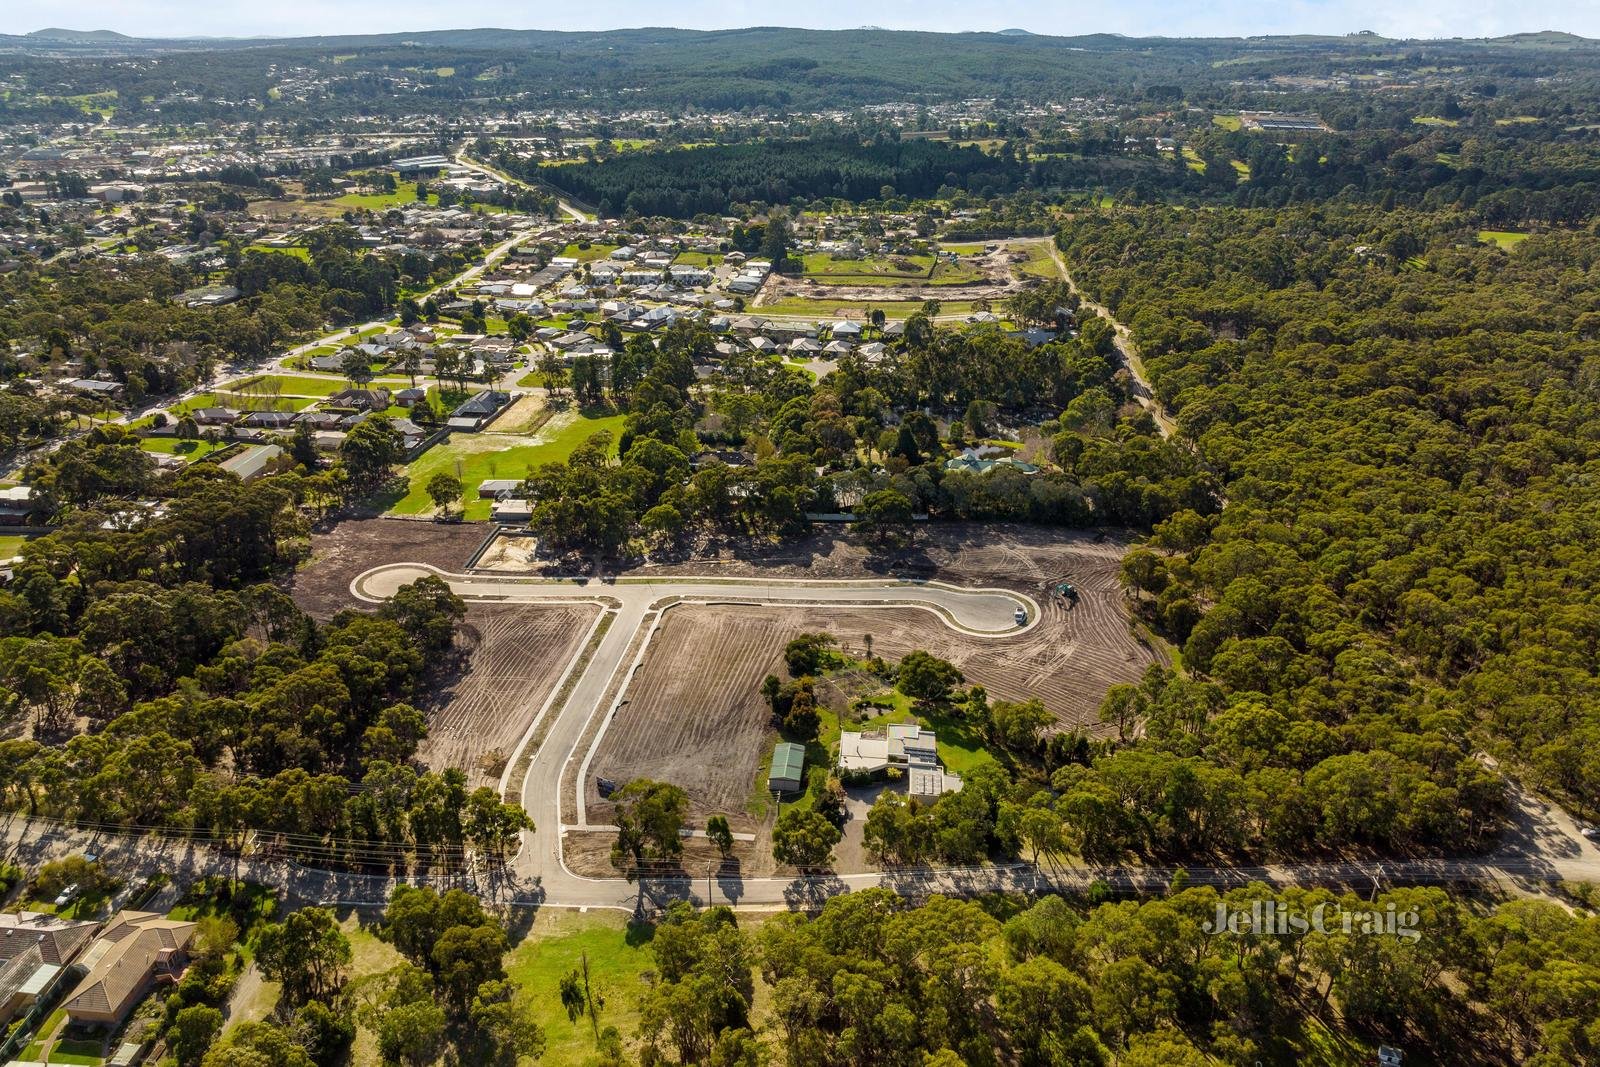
(697, 719)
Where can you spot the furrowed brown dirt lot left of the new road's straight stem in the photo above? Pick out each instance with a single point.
(513, 658)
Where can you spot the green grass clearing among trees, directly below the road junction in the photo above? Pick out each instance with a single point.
(618, 959)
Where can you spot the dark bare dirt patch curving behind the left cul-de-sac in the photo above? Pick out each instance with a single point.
(359, 545)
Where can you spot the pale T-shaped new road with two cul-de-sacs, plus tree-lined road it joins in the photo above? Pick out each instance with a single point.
(1542, 847)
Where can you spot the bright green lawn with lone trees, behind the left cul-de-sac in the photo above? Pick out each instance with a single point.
(476, 458)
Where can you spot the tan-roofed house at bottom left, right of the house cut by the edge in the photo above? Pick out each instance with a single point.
(134, 953)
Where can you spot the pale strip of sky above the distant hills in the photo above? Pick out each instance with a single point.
(1138, 18)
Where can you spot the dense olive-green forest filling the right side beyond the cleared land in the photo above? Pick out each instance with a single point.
(1407, 430)
